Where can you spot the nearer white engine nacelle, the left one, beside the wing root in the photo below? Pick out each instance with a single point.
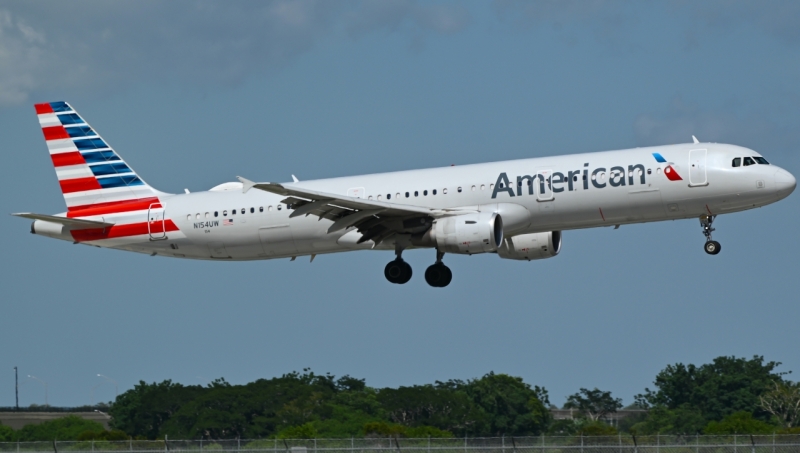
(480, 232)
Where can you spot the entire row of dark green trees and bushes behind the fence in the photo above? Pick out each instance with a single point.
(728, 396)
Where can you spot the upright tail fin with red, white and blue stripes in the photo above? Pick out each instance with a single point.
(94, 179)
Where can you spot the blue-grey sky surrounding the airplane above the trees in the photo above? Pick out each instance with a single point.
(192, 94)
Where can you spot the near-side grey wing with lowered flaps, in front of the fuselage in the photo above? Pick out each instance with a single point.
(375, 220)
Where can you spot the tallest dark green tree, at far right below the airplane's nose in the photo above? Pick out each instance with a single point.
(715, 390)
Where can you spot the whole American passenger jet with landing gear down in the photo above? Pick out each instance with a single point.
(516, 209)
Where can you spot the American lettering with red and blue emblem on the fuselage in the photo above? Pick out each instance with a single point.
(557, 182)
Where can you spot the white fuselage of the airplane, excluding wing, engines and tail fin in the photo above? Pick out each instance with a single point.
(640, 191)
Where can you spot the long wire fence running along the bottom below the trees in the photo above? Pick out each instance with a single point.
(542, 444)
